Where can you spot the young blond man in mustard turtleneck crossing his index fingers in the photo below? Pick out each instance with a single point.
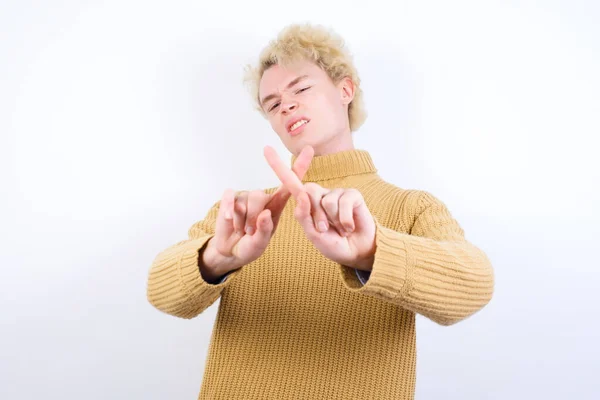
(320, 280)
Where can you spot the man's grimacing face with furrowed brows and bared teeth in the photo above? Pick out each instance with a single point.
(304, 107)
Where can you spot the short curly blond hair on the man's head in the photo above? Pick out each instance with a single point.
(314, 43)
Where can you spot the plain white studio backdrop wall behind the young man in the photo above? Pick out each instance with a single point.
(121, 122)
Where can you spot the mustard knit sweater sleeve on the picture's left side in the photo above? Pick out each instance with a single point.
(175, 284)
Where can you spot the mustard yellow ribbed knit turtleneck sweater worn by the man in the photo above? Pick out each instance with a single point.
(295, 325)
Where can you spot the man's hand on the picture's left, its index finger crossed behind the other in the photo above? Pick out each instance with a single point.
(245, 225)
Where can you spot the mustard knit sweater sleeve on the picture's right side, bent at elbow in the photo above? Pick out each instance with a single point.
(433, 271)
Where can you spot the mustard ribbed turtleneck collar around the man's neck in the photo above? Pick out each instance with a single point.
(338, 165)
